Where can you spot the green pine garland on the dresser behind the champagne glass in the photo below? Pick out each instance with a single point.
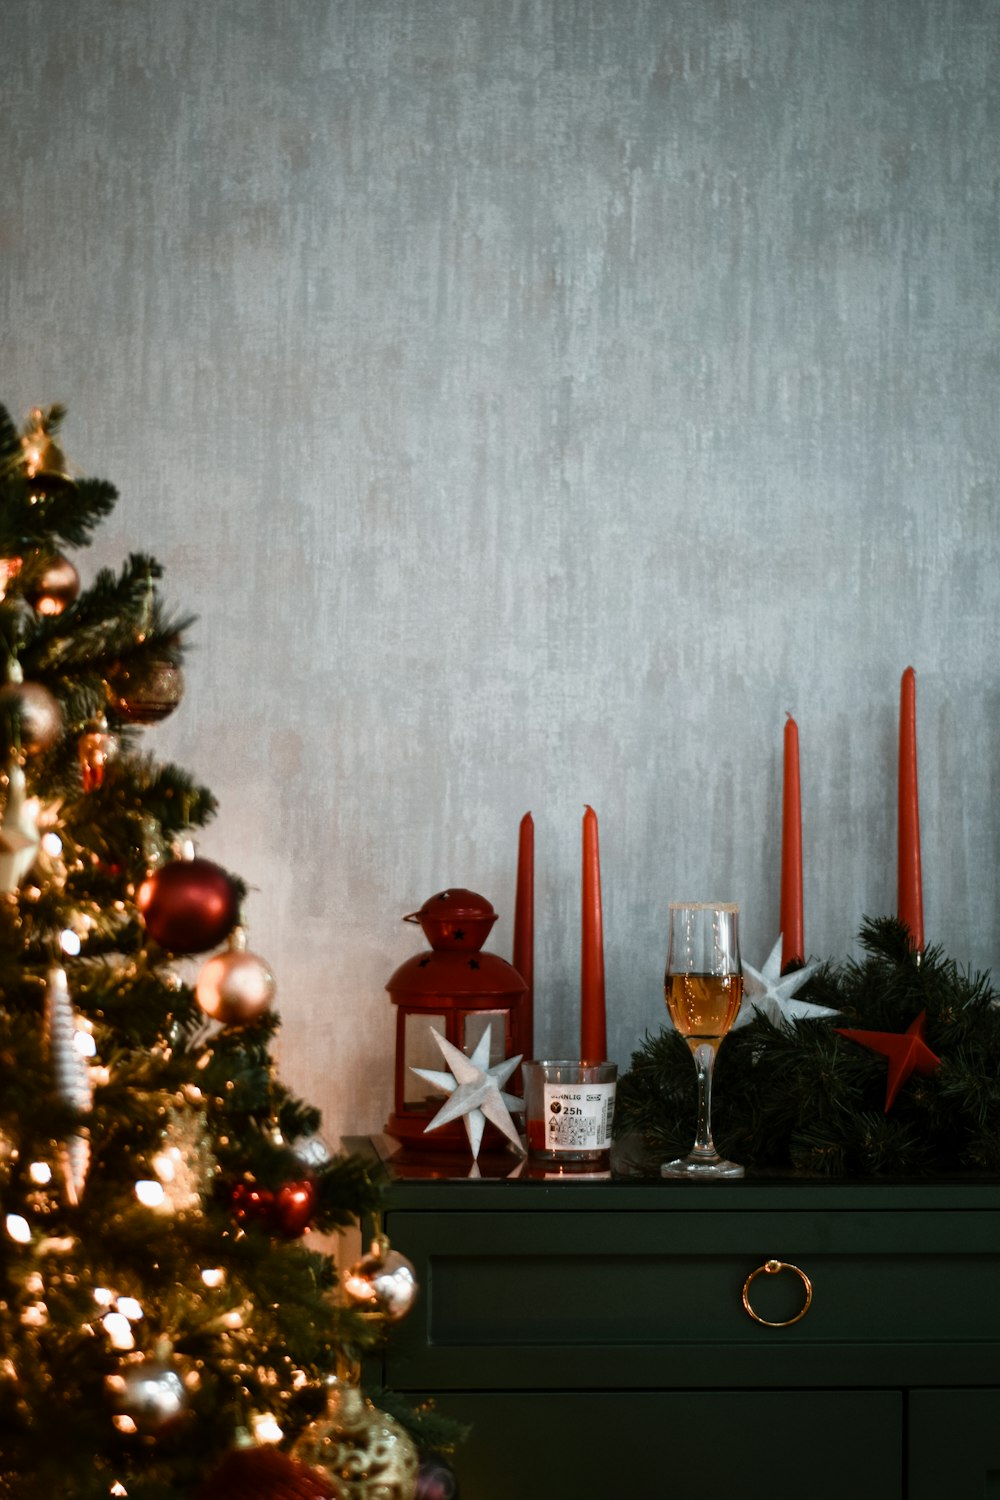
(798, 1097)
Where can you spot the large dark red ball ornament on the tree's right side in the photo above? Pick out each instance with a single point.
(190, 905)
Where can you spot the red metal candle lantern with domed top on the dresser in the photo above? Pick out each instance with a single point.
(458, 992)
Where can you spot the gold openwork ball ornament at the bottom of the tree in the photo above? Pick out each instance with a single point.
(365, 1450)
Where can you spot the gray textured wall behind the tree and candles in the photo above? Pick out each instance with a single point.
(536, 400)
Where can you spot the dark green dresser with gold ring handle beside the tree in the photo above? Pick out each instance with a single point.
(596, 1337)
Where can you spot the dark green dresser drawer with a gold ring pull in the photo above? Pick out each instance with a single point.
(563, 1300)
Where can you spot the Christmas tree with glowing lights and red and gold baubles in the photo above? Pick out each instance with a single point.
(161, 1310)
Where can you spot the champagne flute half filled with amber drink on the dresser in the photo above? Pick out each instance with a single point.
(704, 988)
